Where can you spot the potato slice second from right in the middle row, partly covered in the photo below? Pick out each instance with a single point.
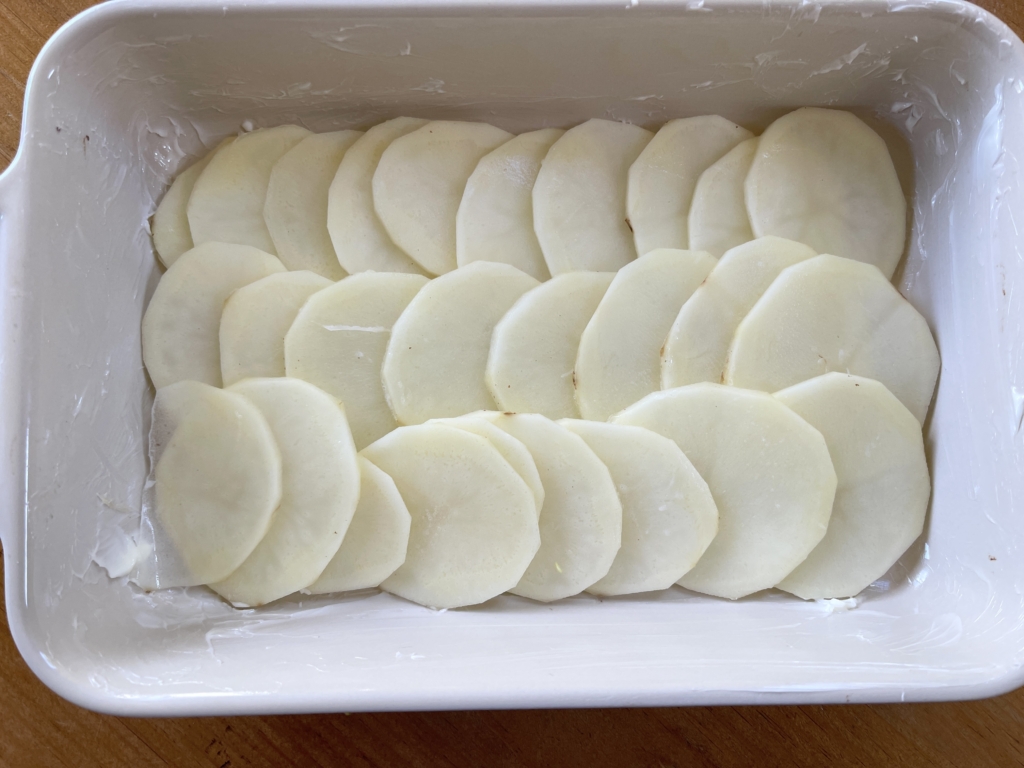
(699, 344)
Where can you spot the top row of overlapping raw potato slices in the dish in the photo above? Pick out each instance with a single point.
(413, 196)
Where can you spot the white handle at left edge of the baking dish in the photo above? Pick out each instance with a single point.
(12, 293)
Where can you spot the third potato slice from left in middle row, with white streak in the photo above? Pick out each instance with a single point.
(338, 342)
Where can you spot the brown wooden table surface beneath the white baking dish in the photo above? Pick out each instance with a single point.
(37, 729)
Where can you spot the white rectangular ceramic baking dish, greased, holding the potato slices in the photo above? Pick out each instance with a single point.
(131, 92)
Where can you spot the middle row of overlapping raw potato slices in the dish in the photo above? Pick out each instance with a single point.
(401, 350)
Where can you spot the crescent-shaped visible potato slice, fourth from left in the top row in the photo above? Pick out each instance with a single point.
(360, 239)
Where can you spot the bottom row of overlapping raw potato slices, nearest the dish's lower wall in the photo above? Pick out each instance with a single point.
(817, 490)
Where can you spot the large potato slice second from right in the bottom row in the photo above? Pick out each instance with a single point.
(769, 471)
